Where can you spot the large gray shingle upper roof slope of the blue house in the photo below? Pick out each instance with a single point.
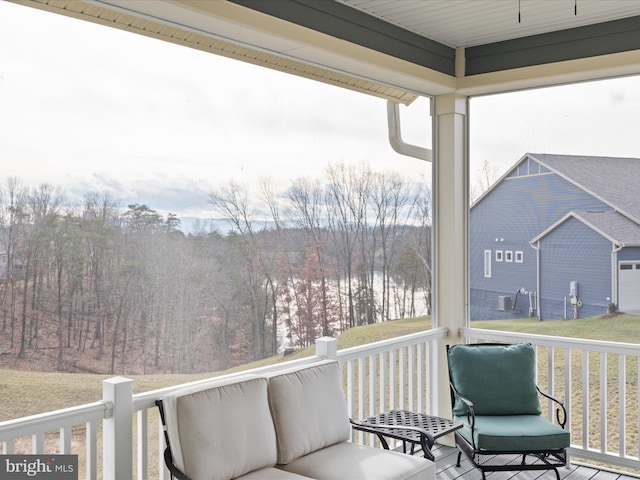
(616, 181)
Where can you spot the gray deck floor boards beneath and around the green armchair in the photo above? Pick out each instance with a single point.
(446, 470)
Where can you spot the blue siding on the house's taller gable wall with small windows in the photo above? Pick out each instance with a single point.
(518, 209)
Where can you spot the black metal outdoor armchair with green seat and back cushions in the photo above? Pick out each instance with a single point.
(494, 394)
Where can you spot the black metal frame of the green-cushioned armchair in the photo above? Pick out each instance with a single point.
(547, 459)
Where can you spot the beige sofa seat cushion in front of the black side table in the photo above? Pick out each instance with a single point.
(358, 462)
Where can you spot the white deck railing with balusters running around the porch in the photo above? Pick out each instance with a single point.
(397, 373)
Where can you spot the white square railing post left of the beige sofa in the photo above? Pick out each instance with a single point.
(117, 431)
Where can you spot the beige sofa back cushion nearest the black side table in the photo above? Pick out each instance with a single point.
(309, 409)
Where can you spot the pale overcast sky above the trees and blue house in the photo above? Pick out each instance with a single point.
(92, 108)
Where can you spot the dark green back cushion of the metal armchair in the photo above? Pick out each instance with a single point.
(498, 379)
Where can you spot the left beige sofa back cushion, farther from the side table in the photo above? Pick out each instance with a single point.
(221, 430)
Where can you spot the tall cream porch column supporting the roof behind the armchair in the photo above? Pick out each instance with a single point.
(450, 228)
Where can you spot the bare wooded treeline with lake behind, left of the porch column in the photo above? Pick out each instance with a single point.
(115, 289)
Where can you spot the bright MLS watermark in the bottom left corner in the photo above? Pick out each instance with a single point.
(39, 467)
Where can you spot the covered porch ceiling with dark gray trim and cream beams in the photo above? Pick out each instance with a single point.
(396, 50)
